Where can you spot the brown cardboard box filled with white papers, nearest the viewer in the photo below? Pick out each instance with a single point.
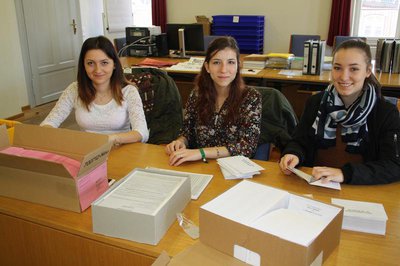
(262, 225)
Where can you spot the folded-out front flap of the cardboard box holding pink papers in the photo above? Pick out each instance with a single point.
(34, 165)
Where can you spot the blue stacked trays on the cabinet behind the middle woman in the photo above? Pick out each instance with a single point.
(247, 30)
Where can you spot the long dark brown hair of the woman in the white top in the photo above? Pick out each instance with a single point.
(86, 90)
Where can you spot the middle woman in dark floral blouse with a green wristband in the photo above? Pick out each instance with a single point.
(222, 115)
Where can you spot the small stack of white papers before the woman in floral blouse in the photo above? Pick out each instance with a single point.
(239, 166)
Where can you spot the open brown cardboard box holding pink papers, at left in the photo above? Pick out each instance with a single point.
(50, 183)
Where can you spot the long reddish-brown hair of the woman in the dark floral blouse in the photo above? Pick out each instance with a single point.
(207, 92)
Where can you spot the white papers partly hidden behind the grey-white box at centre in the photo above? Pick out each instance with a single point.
(198, 182)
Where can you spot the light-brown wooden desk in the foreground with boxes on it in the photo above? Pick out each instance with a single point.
(32, 234)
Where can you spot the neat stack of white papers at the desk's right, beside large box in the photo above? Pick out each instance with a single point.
(363, 216)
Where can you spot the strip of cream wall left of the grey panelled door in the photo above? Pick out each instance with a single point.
(13, 93)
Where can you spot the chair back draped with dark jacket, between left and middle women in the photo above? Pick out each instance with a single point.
(161, 103)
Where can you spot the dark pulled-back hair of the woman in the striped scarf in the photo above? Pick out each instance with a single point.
(363, 47)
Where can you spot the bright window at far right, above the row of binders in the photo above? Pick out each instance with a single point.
(375, 19)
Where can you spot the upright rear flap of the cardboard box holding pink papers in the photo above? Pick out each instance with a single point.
(72, 143)
